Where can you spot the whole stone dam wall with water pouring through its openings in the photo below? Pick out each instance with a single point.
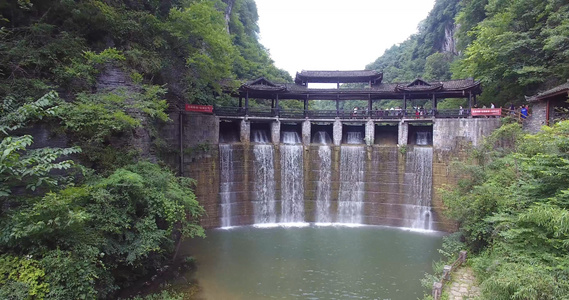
(269, 171)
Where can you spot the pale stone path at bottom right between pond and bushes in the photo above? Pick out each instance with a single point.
(463, 285)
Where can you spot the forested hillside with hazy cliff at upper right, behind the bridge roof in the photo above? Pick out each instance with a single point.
(514, 48)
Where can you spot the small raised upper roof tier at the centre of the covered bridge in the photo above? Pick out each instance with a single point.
(338, 76)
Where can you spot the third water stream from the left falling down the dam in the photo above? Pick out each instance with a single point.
(292, 179)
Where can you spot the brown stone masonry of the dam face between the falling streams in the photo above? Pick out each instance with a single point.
(385, 170)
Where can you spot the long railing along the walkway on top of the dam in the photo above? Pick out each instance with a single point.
(342, 114)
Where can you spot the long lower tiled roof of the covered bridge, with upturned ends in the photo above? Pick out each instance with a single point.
(417, 89)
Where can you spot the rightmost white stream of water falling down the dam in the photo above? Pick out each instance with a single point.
(419, 175)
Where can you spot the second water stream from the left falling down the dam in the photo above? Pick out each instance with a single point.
(264, 172)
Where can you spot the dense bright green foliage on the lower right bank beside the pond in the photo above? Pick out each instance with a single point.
(512, 205)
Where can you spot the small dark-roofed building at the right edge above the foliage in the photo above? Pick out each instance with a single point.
(548, 107)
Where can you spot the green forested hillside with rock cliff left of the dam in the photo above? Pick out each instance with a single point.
(86, 208)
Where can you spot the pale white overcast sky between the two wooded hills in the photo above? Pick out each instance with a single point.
(335, 34)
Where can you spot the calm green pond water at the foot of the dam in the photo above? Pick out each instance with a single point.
(313, 262)
